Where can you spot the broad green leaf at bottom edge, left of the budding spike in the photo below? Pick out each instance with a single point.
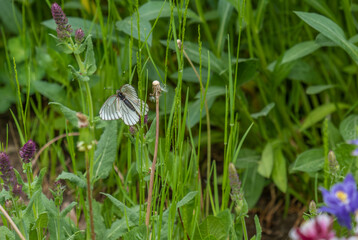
(215, 227)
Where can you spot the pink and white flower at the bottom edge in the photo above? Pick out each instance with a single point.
(315, 229)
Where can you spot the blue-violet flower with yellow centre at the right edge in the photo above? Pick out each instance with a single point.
(341, 200)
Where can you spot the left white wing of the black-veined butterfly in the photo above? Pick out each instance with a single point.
(111, 109)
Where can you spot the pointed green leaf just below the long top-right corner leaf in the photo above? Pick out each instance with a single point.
(298, 51)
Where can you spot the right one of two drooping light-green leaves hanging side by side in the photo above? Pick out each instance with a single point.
(279, 174)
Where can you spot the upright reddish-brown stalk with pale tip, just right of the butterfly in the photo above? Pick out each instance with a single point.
(156, 94)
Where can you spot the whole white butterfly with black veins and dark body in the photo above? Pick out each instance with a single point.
(124, 105)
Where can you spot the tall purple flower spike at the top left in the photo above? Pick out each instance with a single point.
(63, 28)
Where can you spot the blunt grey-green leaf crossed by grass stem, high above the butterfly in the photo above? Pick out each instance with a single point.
(144, 29)
